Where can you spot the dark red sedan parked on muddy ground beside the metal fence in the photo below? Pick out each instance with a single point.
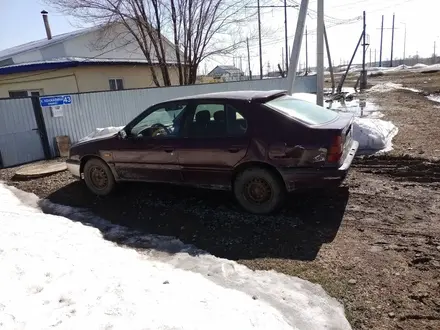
(259, 144)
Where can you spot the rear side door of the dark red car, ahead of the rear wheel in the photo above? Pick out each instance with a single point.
(213, 143)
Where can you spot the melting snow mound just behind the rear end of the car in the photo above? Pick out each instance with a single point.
(374, 134)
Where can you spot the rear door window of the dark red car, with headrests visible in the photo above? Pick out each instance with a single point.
(209, 120)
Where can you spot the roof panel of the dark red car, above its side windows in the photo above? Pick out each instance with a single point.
(250, 96)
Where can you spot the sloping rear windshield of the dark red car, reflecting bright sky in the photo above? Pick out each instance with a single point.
(304, 111)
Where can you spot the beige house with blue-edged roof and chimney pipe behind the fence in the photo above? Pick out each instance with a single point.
(75, 62)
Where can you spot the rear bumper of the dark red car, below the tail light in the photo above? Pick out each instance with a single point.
(322, 177)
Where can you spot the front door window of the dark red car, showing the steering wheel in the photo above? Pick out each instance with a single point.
(162, 122)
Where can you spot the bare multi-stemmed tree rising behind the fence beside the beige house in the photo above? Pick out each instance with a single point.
(169, 33)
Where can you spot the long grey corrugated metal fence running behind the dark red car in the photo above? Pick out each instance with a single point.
(89, 111)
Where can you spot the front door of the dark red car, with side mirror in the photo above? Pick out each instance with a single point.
(148, 153)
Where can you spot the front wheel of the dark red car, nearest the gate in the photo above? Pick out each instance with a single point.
(98, 177)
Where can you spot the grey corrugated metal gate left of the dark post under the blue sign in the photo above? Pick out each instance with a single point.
(20, 139)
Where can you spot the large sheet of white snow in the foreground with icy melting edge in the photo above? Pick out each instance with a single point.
(61, 274)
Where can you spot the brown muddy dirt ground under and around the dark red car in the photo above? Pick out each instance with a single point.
(374, 243)
